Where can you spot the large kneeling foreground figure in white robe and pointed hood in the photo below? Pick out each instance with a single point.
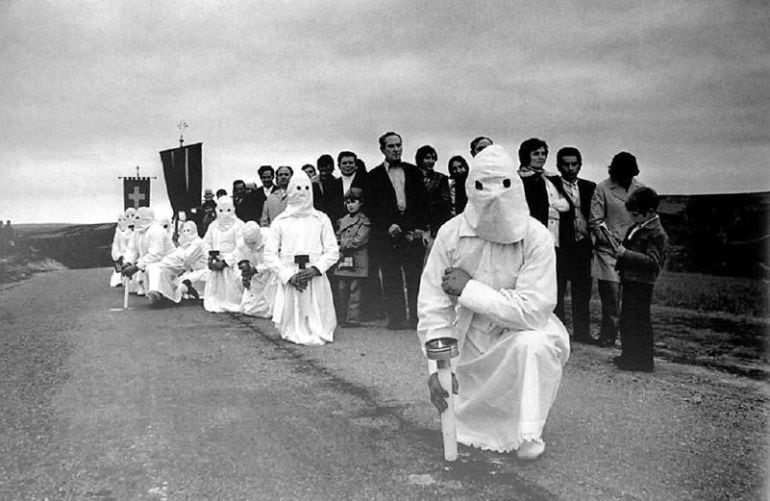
(490, 283)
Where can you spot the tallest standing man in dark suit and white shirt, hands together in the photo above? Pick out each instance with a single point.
(397, 208)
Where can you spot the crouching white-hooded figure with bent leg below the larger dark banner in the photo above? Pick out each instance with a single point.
(174, 275)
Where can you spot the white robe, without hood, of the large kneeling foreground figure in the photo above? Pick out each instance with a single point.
(512, 346)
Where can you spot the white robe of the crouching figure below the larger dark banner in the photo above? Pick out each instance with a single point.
(188, 262)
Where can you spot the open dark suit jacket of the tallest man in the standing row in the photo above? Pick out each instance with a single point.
(381, 204)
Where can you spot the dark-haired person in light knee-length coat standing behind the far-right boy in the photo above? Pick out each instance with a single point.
(609, 222)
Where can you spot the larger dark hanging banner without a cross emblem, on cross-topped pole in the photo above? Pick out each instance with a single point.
(183, 170)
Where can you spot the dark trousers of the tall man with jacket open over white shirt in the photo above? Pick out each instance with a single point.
(400, 266)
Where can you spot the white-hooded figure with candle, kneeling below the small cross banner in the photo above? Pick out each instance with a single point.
(150, 243)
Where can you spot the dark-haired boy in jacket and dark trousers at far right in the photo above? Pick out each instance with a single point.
(639, 261)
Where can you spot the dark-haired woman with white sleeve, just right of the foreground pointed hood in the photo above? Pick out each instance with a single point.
(544, 196)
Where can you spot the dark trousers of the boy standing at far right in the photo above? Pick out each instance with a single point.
(635, 325)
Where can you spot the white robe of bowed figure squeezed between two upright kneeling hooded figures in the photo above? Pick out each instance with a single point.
(257, 300)
